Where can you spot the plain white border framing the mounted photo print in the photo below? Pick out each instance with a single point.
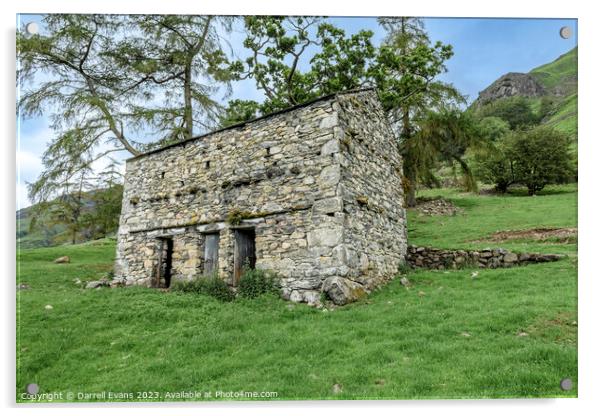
(590, 286)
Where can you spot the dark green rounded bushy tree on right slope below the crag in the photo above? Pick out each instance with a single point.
(533, 158)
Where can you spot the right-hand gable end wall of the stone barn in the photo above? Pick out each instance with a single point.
(371, 190)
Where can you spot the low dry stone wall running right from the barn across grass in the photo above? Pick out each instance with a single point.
(434, 258)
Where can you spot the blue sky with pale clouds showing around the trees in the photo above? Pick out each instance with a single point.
(484, 49)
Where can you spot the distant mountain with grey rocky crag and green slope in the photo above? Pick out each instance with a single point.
(555, 81)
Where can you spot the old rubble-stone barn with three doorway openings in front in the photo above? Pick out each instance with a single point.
(312, 193)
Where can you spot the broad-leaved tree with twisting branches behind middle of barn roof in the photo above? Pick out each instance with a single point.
(280, 46)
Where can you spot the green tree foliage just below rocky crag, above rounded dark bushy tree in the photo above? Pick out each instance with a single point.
(516, 111)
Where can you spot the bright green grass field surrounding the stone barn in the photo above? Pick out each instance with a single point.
(505, 333)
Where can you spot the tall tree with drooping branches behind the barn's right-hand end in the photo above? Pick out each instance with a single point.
(405, 75)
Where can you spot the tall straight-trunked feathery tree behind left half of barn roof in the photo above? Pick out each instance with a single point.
(183, 55)
